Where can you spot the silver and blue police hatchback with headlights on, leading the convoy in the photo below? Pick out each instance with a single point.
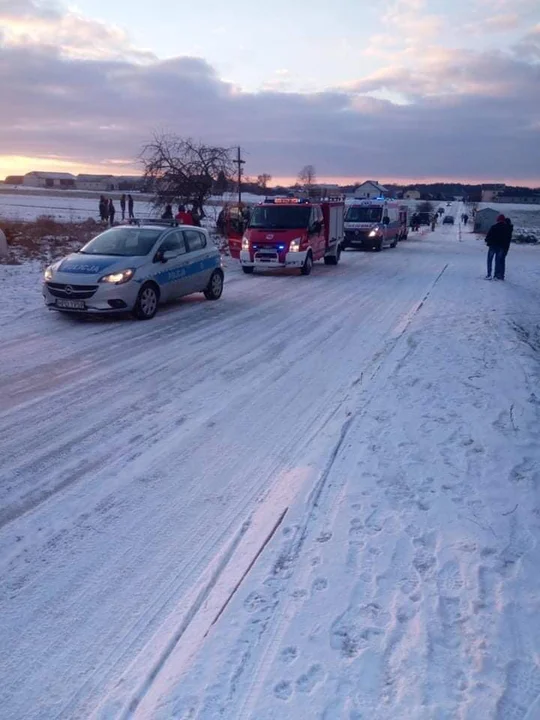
(134, 268)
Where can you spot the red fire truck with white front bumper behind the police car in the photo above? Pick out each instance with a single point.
(293, 233)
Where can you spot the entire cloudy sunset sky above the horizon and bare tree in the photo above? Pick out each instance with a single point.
(391, 90)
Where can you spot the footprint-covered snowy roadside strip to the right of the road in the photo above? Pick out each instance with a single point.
(407, 584)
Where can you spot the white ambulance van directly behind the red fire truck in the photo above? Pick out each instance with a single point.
(375, 224)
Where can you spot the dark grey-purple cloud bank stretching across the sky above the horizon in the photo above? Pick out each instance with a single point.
(474, 117)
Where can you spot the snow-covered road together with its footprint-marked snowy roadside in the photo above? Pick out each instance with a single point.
(316, 498)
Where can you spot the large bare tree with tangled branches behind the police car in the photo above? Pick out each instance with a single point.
(182, 170)
